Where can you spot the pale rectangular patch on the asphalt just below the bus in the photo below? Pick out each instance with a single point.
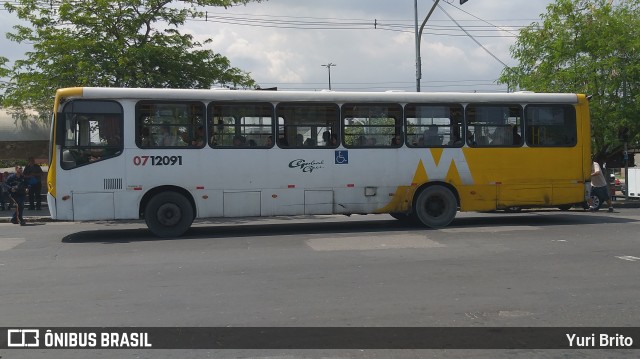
(399, 241)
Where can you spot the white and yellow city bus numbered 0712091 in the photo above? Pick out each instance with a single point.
(169, 156)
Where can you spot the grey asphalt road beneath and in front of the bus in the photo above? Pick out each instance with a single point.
(529, 269)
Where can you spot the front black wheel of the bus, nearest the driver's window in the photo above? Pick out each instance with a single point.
(168, 214)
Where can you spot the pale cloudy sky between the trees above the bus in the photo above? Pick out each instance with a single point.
(370, 43)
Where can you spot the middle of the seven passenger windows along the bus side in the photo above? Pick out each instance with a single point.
(372, 125)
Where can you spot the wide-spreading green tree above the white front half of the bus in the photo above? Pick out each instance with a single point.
(118, 43)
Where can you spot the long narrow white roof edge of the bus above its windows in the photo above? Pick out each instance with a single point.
(301, 96)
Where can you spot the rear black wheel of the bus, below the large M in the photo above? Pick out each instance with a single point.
(436, 206)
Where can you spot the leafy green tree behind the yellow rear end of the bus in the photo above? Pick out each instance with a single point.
(591, 47)
